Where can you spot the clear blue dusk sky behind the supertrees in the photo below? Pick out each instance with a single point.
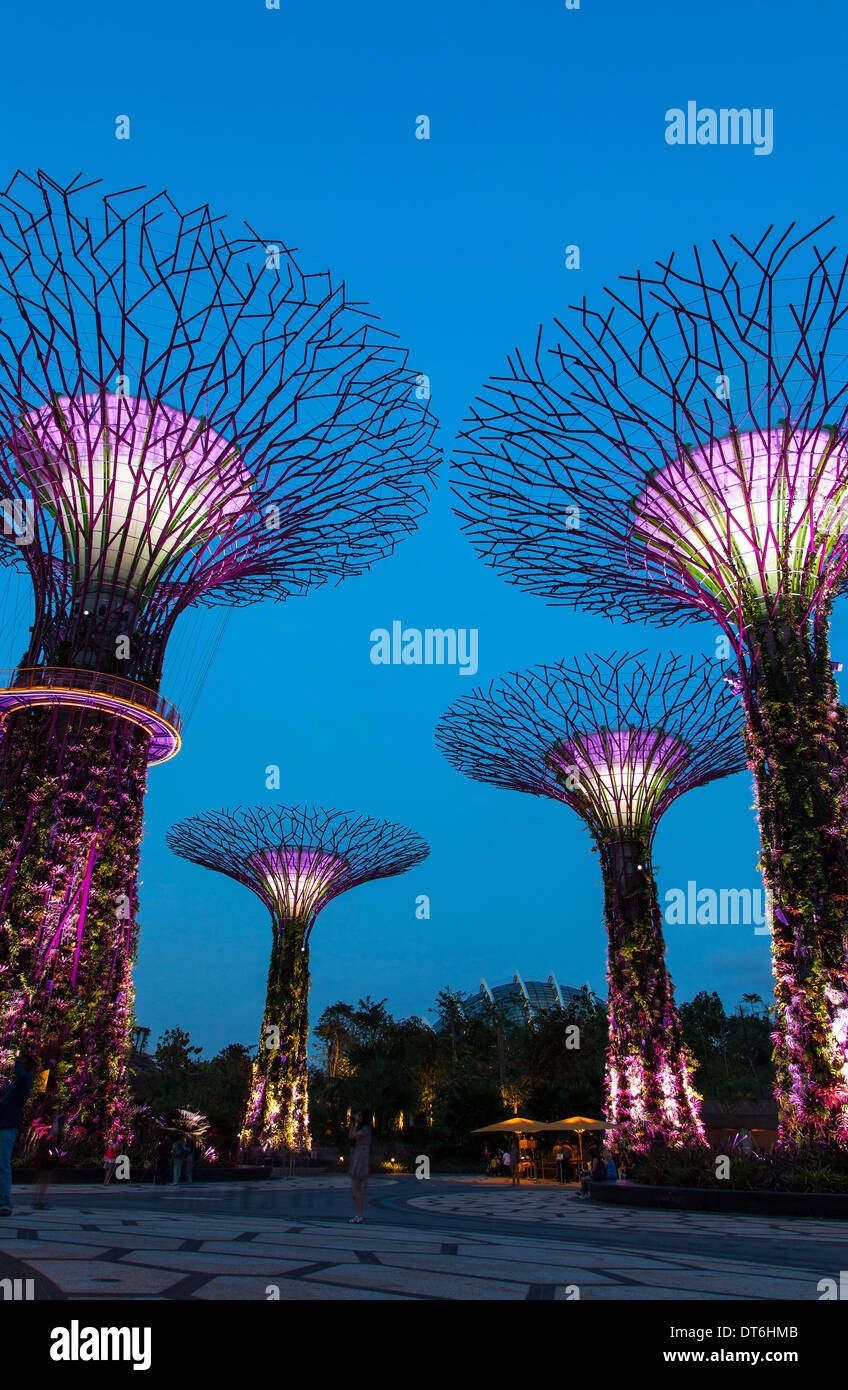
(547, 130)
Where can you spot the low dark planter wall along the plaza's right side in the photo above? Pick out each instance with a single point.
(831, 1206)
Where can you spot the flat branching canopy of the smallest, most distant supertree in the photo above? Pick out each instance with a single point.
(297, 860)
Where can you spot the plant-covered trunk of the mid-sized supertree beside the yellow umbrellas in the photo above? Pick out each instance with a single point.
(650, 1092)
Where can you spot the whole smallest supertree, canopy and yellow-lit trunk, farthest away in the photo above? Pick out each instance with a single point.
(297, 860)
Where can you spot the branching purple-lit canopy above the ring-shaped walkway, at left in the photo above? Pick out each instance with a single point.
(188, 416)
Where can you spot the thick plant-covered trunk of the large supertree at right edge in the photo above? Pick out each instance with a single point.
(797, 746)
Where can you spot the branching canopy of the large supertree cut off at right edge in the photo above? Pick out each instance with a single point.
(680, 452)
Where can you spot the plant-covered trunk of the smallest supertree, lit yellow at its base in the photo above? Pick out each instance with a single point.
(279, 1106)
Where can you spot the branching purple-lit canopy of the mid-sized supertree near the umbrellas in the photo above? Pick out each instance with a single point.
(611, 737)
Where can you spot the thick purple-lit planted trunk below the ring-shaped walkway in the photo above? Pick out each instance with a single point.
(73, 786)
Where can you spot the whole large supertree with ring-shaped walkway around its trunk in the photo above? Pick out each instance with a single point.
(186, 419)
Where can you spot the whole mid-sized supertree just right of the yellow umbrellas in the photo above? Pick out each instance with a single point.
(618, 742)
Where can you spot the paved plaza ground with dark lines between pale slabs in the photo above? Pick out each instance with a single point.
(446, 1239)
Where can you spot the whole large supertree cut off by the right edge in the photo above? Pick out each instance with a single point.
(683, 454)
